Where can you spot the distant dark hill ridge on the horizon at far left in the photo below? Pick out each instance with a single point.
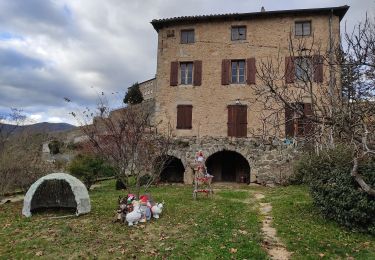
(38, 128)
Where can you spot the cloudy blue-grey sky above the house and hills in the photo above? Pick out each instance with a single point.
(51, 49)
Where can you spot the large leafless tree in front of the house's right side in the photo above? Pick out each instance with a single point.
(298, 100)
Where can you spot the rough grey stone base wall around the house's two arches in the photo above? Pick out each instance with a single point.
(269, 163)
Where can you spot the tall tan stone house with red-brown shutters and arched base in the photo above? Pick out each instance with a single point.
(205, 68)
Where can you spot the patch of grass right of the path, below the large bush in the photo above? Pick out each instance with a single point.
(306, 233)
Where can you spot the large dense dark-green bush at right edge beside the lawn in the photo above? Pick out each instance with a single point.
(335, 192)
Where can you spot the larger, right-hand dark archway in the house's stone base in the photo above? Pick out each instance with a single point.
(228, 166)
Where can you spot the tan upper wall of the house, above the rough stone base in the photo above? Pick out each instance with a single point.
(267, 37)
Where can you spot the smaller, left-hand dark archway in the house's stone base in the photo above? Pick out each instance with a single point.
(172, 171)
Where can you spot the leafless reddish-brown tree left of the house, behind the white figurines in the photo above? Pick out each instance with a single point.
(127, 138)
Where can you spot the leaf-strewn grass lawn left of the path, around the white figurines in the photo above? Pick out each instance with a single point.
(206, 229)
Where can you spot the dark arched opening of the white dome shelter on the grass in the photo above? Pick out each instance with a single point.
(53, 194)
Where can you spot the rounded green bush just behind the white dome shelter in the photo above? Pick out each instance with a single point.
(89, 168)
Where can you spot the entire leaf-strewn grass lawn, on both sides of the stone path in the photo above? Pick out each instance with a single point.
(223, 227)
